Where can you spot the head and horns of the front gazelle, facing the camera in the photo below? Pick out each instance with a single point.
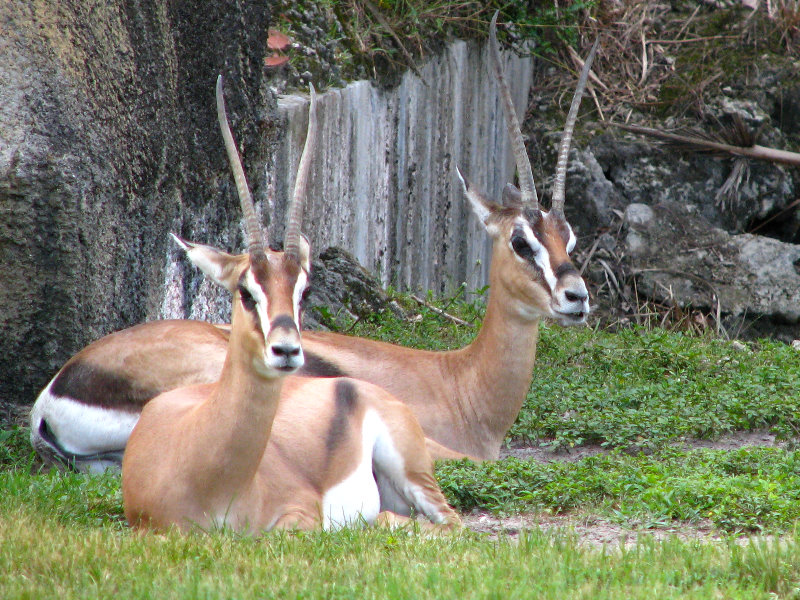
(266, 285)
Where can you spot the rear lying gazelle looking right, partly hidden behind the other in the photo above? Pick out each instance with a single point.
(466, 400)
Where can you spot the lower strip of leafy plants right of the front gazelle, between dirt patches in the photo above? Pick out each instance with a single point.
(746, 489)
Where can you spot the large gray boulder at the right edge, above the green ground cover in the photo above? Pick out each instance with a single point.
(680, 259)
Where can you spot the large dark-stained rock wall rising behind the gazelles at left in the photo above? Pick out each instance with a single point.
(107, 142)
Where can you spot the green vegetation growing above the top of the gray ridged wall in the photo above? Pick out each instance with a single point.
(383, 38)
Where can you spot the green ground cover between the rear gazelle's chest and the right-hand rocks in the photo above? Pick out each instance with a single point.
(645, 389)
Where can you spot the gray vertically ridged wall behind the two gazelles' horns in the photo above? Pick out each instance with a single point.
(383, 181)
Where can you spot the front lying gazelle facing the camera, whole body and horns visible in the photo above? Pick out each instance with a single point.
(257, 449)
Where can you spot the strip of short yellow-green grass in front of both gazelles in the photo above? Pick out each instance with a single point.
(43, 558)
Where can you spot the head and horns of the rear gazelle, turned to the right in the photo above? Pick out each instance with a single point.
(531, 245)
